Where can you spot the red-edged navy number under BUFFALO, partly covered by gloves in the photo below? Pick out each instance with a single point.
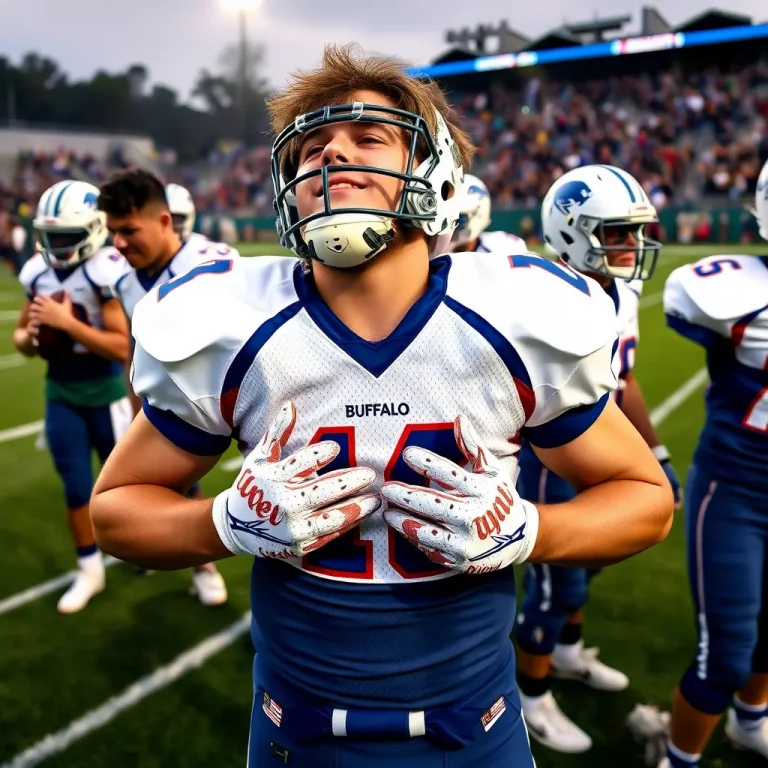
(351, 556)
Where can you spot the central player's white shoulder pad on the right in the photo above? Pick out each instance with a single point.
(531, 298)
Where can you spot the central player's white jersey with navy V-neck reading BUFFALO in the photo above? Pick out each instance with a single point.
(515, 343)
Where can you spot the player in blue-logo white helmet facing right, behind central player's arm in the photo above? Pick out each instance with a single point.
(593, 218)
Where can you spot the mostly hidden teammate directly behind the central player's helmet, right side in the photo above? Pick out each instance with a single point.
(475, 218)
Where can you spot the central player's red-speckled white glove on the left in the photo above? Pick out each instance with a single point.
(282, 509)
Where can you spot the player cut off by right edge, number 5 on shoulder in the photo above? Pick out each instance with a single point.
(720, 303)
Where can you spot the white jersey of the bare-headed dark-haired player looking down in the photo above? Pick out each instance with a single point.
(133, 285)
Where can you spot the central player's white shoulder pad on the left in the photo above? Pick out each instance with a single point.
(212, 304)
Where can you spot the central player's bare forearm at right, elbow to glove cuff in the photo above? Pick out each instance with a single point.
(604, 524)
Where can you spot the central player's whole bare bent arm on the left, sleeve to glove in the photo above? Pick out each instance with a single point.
(139, 511)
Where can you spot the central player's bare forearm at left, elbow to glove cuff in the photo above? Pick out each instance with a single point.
(155, 527)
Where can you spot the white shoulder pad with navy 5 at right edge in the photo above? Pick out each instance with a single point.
(724, 287)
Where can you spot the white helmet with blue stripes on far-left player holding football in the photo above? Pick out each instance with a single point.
(68, 225)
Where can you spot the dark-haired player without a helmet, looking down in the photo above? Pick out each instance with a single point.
(144, 231)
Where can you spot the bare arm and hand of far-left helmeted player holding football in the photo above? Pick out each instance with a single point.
(111, 342)
